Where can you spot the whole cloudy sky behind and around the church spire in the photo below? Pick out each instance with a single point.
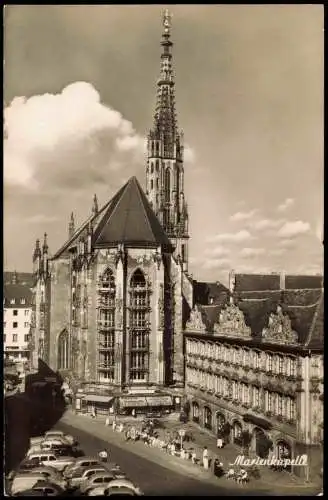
(80, 92)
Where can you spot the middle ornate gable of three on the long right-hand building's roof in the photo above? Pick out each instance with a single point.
(232, 322)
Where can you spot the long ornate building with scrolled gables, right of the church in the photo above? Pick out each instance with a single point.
(255, 363)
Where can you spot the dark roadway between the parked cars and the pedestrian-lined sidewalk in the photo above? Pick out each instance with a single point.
(152, 478)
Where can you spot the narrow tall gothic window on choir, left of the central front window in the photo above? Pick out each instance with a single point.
(106, 326)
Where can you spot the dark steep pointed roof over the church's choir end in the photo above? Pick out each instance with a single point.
(129, 219)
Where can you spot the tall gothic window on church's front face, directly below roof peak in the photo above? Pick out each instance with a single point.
(139, 331)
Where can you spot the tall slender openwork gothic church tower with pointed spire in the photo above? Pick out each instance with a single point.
(165, 171)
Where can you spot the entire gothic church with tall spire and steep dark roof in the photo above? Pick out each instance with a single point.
(110, 303)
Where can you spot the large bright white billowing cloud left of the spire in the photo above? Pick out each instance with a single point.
(68, 140)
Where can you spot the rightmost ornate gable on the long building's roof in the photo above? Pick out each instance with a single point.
(279, 329)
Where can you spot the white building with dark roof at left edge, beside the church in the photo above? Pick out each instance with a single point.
(17, 304)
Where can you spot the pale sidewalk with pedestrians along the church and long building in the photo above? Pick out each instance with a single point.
(277, 484)
